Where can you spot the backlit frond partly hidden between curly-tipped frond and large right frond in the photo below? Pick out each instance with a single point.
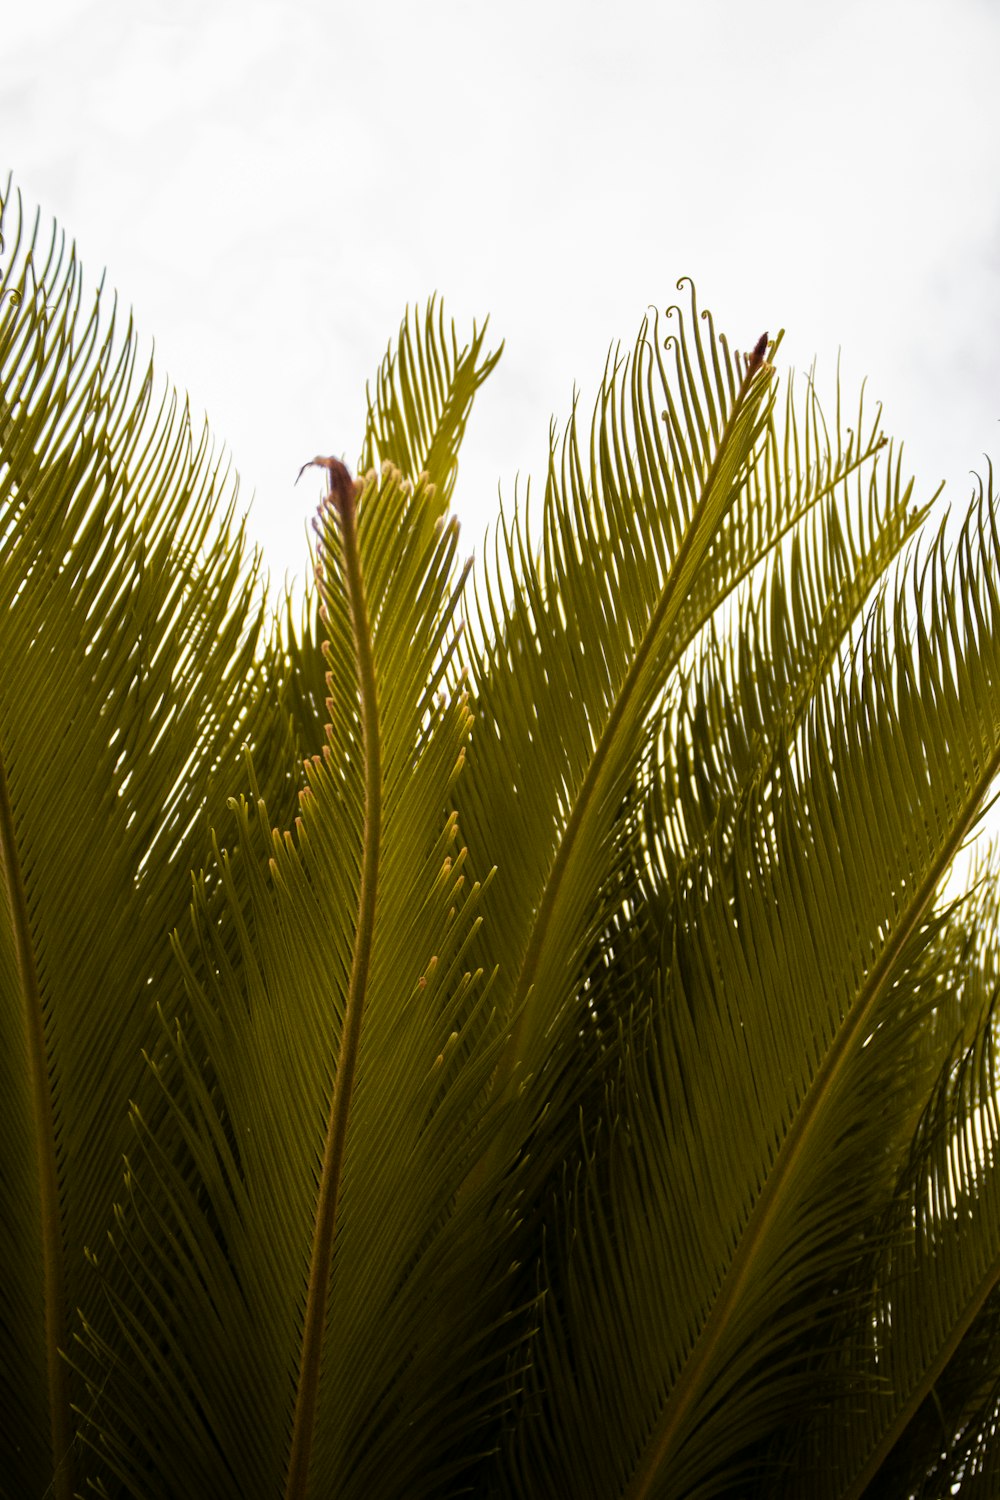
(753, 677)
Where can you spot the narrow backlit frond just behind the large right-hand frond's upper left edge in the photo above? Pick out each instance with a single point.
(744, 689)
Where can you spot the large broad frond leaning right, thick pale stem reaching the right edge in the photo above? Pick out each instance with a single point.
(731, 1195)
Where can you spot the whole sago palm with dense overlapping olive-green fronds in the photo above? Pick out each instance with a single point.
(567, 1072)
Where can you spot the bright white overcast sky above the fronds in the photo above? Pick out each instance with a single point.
(271, 182)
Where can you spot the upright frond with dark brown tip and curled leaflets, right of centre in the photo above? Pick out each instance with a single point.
(575, 650)
